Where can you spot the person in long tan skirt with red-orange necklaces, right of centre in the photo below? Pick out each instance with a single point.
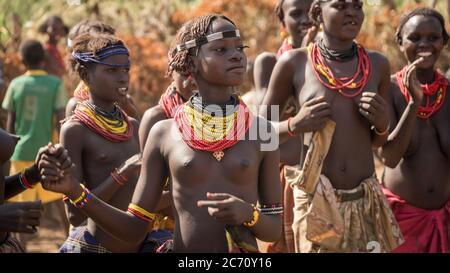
(341, 88)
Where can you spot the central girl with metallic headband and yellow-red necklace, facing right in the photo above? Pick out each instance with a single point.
(215, 183)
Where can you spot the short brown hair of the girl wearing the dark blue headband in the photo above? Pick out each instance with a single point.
(89, 43)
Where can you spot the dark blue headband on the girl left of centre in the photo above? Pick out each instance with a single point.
(97, 57)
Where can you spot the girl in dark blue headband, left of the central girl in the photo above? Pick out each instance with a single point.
(102, 141)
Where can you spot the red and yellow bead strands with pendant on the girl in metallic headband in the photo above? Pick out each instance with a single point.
(189, 121)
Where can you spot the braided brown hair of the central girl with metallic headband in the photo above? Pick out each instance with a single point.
(182, 61)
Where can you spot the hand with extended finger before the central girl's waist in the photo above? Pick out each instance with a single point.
(227, 208)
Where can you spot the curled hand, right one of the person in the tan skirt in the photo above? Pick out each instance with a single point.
(374, 108)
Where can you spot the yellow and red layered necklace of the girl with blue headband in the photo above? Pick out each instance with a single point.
(115, 126)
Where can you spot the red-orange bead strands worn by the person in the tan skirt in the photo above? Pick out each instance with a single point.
(346, 86)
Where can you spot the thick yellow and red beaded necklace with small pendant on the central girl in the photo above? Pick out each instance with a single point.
(213, 128)
